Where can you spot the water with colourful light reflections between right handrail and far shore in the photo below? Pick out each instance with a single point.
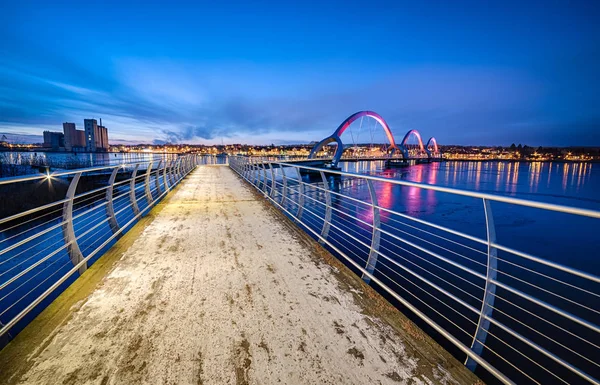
(573, 184)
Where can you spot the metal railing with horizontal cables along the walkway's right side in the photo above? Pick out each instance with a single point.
(513, 316)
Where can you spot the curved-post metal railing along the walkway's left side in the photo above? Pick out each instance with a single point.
(45, 248)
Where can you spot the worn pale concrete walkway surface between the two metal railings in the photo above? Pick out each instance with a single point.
(219, 288)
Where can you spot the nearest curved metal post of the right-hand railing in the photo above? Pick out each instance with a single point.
(490, 288)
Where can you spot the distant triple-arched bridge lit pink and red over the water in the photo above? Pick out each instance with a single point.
(429, 150)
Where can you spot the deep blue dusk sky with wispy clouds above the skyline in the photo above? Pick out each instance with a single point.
(466, 72)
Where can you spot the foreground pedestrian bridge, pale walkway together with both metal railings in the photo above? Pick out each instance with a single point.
(250, 273)
